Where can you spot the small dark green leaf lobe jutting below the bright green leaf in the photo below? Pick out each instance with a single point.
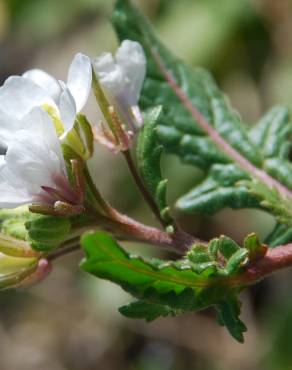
(146, 311)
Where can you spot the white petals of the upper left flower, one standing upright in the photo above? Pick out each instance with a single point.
(36, 88)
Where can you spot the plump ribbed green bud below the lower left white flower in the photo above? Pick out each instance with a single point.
(46, 233)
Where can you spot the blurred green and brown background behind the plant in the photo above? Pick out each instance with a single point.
(70, 321)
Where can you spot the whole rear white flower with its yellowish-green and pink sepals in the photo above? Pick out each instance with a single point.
(117, 82)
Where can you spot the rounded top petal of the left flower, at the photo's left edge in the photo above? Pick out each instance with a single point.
(19, 95)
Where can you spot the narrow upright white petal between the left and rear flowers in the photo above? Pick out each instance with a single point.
(79, 79)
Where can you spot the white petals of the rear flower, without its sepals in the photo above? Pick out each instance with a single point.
(121, 78)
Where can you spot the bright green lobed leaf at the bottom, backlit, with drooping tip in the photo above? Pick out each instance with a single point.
(203, 278)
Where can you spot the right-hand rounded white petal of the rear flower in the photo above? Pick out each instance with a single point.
(130, 56)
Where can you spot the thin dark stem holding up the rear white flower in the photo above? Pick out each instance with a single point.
(145, 193)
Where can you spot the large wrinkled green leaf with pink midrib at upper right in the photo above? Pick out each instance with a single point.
(222, 146)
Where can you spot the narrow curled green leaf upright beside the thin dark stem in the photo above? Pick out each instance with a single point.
(148, 159)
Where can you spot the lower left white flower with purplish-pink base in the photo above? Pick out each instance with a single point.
(33, 169)
